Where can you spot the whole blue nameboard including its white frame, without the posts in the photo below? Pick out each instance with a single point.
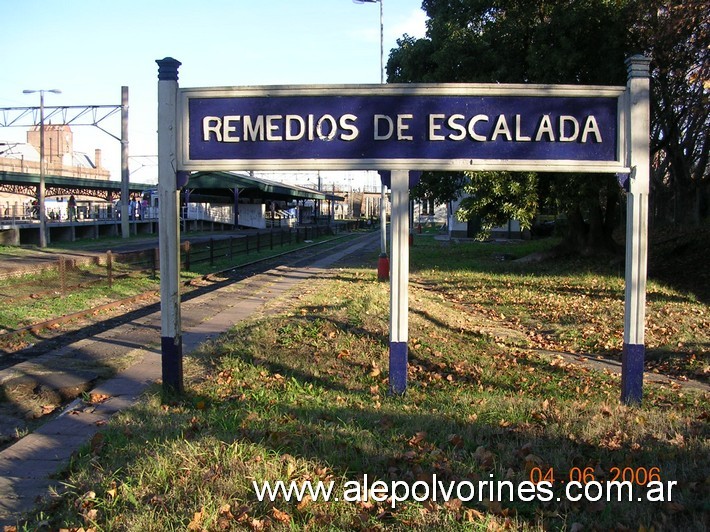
(412, 127)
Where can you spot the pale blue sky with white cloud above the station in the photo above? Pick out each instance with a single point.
(89, 49)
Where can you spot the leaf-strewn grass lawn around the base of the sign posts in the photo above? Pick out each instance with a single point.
(301, 394)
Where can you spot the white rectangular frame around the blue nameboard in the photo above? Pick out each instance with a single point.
(415, 89)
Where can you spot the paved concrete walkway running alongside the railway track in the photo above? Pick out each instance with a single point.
(27, 467)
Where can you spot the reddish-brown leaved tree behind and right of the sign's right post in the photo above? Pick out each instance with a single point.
(676, 35)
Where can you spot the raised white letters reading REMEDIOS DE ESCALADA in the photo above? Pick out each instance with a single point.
(438, 127)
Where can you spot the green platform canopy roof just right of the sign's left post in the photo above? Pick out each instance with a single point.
(220, 186)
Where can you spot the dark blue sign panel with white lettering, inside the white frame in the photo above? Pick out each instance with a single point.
(431, 130)
